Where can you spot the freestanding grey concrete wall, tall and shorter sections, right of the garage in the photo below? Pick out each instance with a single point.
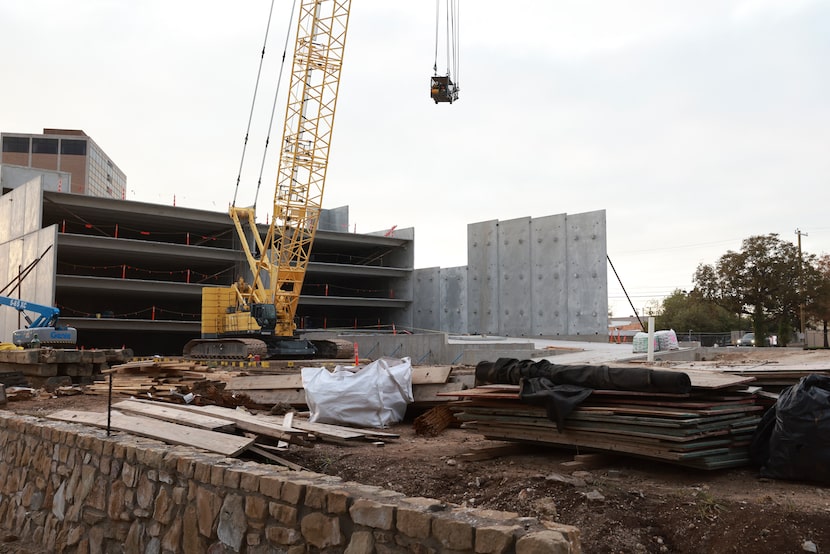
(543, 276)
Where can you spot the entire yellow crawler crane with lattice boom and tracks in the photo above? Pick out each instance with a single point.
(257, 319)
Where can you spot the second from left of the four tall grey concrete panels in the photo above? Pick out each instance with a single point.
(514, 277)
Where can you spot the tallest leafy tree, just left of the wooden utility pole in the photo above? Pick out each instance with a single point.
(760, 281)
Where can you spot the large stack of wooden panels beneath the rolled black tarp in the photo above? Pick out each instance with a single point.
(709, 428)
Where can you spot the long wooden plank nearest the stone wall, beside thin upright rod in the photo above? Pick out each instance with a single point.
(220, 443)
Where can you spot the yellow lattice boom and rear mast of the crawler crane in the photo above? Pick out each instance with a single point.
(309, 120)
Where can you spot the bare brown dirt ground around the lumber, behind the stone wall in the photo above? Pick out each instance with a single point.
(620, 505)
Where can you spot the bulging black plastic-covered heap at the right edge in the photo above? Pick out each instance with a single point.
(793, 439)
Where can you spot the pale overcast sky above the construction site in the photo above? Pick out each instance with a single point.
(694, 123)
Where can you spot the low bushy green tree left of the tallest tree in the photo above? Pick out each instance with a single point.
(692, 310)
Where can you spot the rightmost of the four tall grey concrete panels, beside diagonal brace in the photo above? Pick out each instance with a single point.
(587, 274)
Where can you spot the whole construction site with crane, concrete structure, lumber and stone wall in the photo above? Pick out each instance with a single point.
(176, 379)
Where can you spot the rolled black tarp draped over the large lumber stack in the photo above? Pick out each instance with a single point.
(561, 388)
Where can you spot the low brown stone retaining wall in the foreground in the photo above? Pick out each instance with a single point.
(72, 489)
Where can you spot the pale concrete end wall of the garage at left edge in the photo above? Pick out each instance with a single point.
(22, 241)
